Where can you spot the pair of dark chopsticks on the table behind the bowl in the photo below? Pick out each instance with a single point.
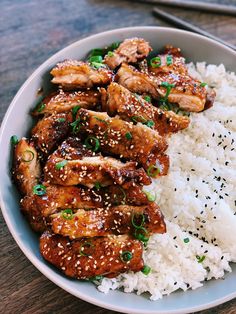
(207, 7)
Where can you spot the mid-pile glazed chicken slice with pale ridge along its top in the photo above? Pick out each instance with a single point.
(82, 166)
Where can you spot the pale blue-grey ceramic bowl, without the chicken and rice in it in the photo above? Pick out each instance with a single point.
(18, 121)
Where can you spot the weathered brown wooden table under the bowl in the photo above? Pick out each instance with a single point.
(31, 31)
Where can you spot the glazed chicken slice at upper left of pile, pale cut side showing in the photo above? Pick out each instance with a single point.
(73, 74)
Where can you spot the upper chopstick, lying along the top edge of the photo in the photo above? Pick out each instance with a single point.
(196, 5)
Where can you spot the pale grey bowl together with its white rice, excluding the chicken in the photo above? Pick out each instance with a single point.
(193, 264)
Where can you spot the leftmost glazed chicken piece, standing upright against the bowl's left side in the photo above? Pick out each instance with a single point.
(26, 169)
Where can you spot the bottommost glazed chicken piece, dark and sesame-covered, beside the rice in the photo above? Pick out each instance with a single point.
(102, 256)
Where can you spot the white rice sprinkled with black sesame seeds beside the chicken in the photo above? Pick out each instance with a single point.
(197, 197)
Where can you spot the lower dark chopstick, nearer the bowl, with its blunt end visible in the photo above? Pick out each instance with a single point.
(187, 26)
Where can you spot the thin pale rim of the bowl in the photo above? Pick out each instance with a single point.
(34, 260)
